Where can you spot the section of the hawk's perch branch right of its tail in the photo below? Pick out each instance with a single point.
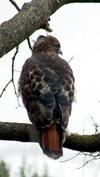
(83, 143)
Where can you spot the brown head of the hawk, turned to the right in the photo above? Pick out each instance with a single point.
(47, 44)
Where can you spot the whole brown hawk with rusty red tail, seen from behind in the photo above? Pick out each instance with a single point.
(46, 85)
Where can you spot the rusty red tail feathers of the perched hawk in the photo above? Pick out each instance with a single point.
(51, 142)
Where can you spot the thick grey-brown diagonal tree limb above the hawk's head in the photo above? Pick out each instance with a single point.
(31, 17)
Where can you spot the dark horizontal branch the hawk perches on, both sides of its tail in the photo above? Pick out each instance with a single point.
(26, 133)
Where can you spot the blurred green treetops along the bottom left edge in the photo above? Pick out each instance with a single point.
(22, 172)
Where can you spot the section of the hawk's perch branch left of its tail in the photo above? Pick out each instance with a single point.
(18, 132)
